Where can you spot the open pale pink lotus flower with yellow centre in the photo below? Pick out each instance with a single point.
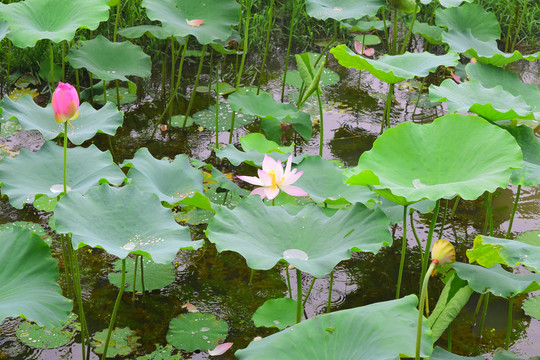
(272, 179)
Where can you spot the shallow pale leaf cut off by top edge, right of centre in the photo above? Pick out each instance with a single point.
(342, 9)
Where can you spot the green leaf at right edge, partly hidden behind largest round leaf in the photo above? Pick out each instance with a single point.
(529, 174)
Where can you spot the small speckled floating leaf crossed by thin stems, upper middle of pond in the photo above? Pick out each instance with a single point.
(207, 118)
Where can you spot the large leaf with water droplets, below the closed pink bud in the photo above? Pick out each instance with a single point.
(122, 221)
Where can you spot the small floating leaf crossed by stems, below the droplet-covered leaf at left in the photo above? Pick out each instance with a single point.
(156, 276)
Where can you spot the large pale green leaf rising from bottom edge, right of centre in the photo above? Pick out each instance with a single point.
(381, 331)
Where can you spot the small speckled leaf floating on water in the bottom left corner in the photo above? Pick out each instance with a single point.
(41, 337)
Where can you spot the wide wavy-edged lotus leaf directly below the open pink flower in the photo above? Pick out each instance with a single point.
(306, 238)
